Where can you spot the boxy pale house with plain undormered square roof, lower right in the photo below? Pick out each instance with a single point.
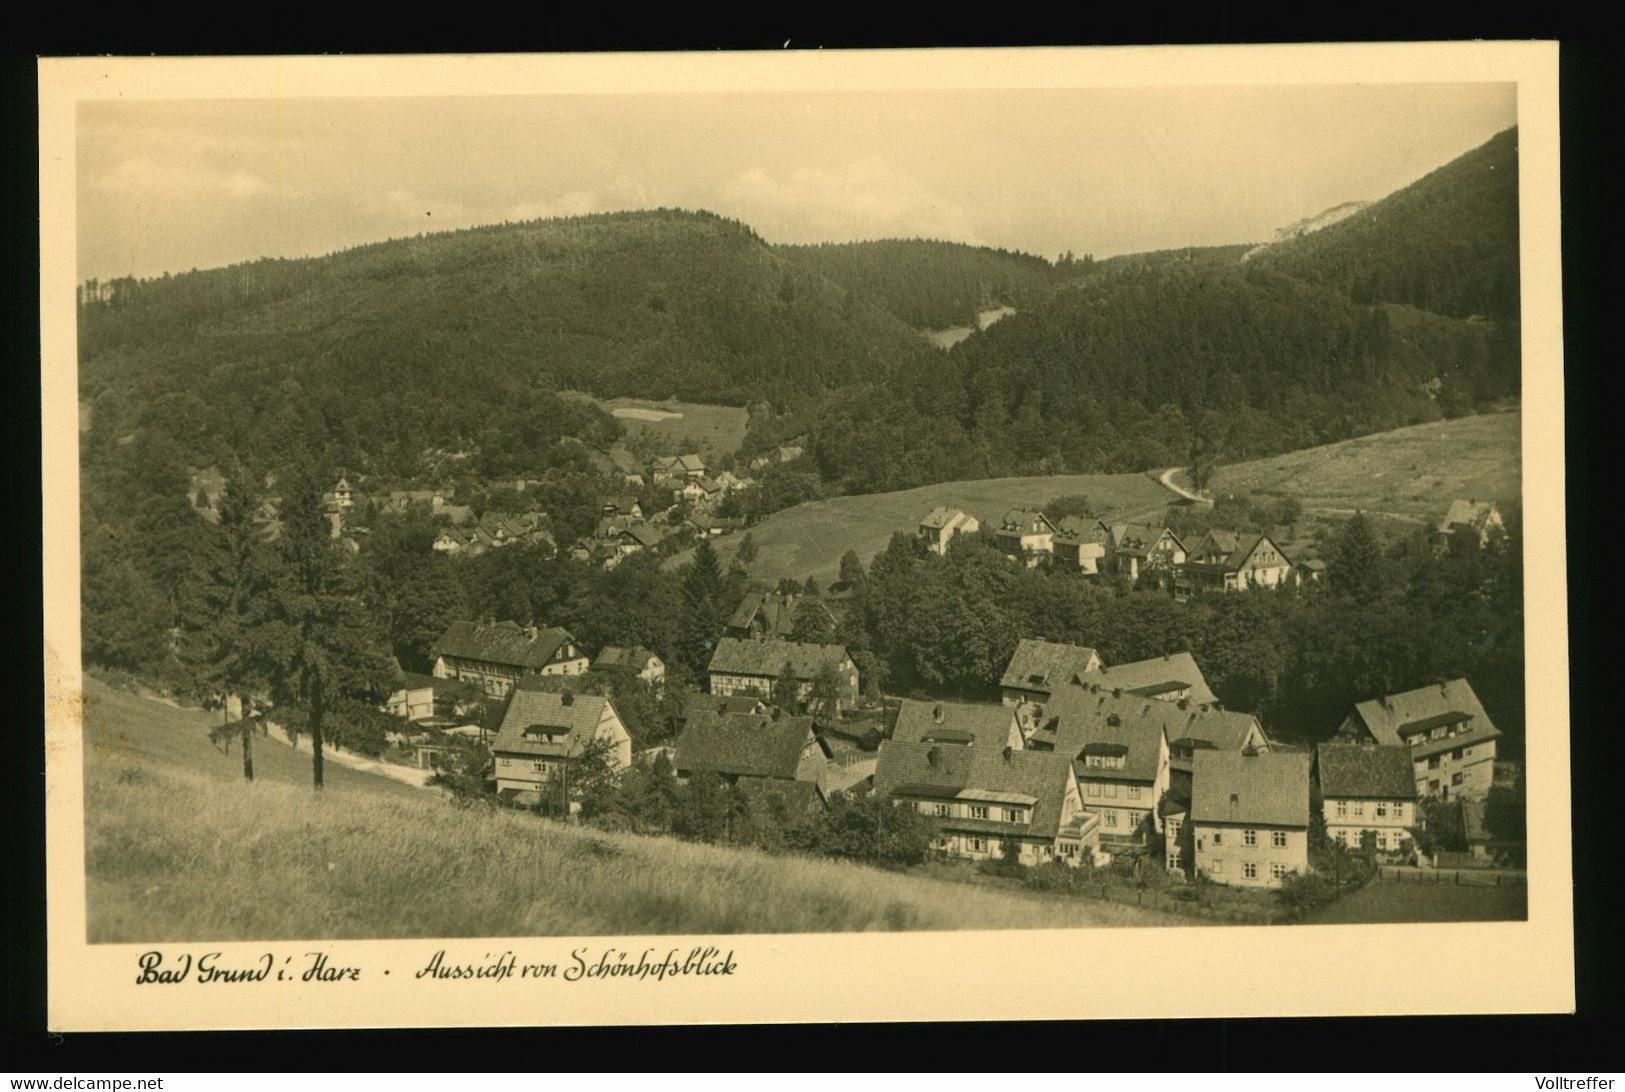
(1250, 817)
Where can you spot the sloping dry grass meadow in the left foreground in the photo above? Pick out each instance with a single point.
(180, 849)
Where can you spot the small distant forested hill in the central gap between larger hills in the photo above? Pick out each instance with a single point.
(934, 285)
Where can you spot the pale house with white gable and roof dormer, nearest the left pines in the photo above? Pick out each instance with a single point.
(545, 735)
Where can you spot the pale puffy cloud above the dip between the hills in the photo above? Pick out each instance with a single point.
(862, 201)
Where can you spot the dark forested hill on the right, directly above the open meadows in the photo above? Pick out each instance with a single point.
(1156, 365)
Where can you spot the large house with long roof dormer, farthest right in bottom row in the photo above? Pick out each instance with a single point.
(1445, 732)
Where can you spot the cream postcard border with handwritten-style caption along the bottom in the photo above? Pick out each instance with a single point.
(987, 976)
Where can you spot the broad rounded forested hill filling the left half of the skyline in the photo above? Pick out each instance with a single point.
(457, 340)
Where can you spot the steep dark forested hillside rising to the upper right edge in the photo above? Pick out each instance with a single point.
(1449, 243)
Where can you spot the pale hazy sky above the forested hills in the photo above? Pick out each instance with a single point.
(173, 186)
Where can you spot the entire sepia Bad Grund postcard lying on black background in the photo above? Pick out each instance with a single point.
(716, 501)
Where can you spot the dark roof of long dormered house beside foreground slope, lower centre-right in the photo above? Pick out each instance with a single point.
(945, 771)
